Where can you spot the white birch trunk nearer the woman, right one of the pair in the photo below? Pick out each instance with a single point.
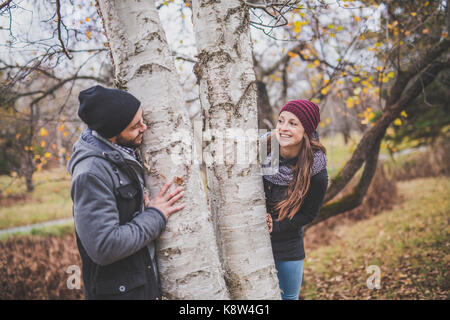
(229, 104)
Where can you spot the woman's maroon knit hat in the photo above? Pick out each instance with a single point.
(306, 111)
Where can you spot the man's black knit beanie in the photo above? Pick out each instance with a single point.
(107, 111)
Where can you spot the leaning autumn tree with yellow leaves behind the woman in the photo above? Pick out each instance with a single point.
(374, 57)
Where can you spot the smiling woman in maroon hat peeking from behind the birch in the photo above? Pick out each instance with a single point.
(295, 193)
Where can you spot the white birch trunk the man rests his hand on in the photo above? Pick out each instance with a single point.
(188, 257)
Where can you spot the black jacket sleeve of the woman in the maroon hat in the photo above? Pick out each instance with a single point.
(310, 207)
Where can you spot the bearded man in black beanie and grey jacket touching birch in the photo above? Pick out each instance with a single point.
(115, 222)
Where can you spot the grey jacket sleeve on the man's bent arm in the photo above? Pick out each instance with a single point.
(97, 222)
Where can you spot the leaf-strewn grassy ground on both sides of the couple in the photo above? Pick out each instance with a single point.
(401, 229)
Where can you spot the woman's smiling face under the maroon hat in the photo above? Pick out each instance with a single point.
(289, 130)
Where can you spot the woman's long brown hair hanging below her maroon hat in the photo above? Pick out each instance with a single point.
(302, 172)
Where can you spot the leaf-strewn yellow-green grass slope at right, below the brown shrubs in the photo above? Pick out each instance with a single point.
(410, 244)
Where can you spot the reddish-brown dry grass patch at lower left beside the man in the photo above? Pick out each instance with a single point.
(35, 267)
